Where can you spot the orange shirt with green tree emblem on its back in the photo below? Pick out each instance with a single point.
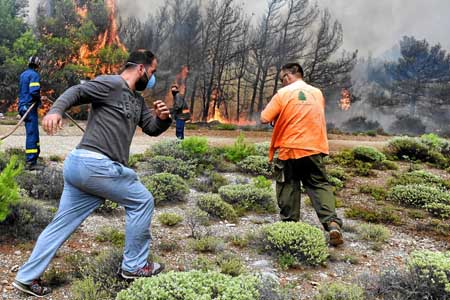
(300, 127)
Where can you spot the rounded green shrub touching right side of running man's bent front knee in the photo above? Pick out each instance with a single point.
(166, 187)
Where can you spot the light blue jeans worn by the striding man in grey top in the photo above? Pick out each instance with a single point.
(89, 178)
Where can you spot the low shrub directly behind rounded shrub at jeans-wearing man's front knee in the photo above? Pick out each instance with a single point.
(167, 164)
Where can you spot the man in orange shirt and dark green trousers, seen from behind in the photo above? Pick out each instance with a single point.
(300, 137)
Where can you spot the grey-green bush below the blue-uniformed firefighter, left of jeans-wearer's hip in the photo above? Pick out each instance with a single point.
(47, 184)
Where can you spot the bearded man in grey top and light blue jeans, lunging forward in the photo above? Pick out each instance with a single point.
(97, 169)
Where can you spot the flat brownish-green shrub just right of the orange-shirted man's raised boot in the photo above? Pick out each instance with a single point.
(386, 215)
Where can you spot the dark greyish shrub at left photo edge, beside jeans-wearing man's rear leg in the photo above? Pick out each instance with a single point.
(26, 221)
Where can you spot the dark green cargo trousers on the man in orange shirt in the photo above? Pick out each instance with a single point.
(309, 171)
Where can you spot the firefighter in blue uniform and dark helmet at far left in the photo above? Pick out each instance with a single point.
(29, 92)
